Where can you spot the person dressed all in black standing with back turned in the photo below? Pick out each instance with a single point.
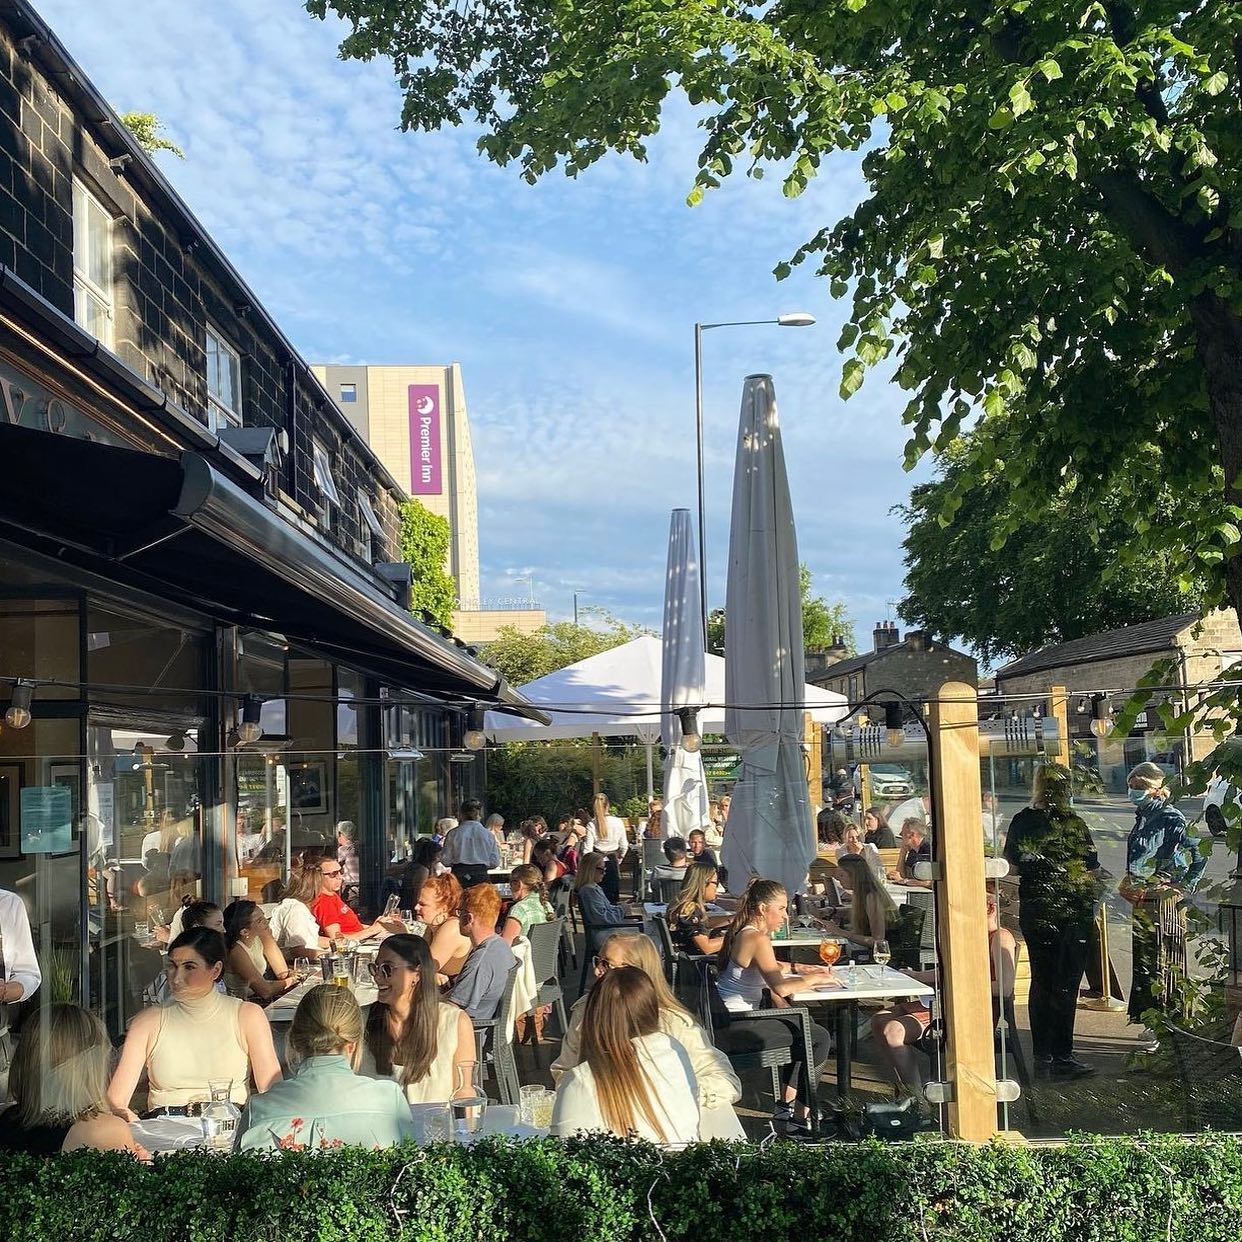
(1051, 850)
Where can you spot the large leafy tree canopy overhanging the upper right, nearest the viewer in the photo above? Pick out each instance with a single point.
(1051, 234)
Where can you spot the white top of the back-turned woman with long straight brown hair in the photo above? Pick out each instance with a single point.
(671, 1089)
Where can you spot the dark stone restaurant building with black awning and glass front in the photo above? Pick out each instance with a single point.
(207, 656)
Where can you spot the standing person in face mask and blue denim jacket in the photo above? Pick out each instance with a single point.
(1162, 861)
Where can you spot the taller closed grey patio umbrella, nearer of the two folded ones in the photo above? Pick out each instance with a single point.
(769, 830)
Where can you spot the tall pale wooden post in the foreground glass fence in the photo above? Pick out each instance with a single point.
(953, 742)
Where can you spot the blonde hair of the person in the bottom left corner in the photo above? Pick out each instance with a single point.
(60, 1071)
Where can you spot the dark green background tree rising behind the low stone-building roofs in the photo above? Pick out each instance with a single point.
(1069, 576)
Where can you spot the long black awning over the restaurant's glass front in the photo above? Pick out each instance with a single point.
(182, 531)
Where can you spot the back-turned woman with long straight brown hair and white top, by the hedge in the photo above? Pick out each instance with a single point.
(634, 1080)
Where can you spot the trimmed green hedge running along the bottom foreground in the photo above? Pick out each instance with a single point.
(602, 1190)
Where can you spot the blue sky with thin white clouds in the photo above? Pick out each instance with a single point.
(571, 305)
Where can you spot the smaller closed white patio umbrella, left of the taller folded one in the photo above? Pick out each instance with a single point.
(684, 680)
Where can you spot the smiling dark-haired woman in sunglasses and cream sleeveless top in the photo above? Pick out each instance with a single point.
(413, 1036)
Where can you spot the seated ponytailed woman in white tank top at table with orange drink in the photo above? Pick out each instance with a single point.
(755, 979)
